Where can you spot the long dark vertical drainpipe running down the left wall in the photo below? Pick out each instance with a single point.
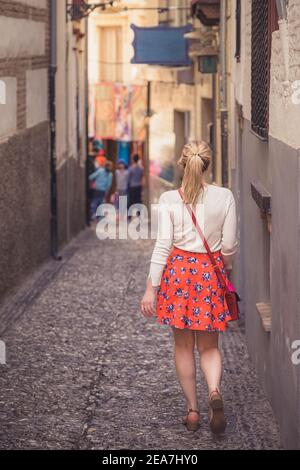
(52, 110)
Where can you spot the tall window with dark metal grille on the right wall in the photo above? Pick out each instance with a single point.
(264, 22)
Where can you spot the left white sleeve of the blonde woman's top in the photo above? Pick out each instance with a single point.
(163, 243)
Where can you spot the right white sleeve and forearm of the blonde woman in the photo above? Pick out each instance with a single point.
(230, 242)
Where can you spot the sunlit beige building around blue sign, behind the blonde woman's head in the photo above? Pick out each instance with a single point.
(184, 101)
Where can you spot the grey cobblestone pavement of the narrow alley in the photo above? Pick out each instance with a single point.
(85, 370)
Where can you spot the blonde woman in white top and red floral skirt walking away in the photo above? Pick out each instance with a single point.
(183, 283)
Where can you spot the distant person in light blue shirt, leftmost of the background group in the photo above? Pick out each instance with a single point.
(103, 178)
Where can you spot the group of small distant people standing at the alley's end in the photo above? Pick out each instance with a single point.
(128, 182)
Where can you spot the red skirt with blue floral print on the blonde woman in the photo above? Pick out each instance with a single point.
(190, 295)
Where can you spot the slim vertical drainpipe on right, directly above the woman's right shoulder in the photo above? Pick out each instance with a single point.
(223, 93)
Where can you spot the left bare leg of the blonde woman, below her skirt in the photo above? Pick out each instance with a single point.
(186, 365)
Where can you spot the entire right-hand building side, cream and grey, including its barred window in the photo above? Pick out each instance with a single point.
(263, 61)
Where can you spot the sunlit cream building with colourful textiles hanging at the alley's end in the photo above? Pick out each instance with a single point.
(118, 90)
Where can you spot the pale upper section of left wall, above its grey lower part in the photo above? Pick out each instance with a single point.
(22, 47)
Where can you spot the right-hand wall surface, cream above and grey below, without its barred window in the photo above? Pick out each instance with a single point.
(272, 275)
